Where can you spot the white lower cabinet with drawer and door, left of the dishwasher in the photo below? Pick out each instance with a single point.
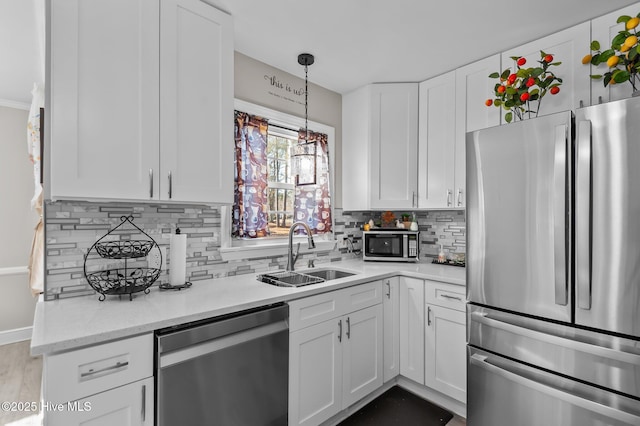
(105, 384)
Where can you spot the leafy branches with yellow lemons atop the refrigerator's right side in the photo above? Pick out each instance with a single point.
(623, 58)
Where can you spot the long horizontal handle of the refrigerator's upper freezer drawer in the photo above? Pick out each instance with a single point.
(617, 355)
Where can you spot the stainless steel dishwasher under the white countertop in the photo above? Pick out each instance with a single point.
(232, 370)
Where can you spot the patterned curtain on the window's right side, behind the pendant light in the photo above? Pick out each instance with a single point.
(312, 203)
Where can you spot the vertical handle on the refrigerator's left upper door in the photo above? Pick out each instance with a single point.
(559, 213)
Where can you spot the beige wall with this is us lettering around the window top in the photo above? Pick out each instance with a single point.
(264, 85)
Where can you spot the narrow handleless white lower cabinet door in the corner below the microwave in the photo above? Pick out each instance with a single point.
(412, 329)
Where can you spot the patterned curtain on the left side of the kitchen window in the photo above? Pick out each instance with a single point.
(250, 219)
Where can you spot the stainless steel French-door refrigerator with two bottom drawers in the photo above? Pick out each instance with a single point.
(553, 269)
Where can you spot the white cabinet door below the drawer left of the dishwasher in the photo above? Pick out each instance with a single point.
(127, 405)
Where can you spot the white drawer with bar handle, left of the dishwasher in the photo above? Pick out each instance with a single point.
(73, 375)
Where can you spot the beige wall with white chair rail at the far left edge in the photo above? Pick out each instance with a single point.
(16, 220)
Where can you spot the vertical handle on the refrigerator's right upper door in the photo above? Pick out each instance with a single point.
(583, 216)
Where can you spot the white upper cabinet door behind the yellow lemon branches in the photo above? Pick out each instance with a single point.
(604, 29)
